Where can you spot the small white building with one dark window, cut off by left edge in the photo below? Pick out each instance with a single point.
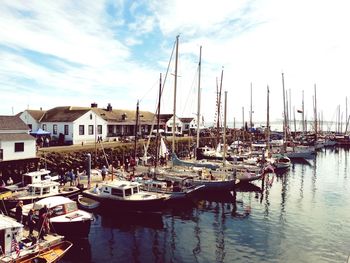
(15, 142)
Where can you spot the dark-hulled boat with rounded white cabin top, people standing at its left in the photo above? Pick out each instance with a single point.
(65, 217)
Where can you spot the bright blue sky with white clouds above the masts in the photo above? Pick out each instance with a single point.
(73, 53)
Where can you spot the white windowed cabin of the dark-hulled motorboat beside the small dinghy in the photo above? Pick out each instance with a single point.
(121, 189)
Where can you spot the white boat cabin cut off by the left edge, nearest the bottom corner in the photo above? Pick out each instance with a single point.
(9, 230)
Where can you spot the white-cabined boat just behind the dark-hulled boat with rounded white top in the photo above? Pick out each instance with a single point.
(36, 191)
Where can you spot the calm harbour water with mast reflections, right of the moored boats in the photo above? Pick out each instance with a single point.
(302, 215)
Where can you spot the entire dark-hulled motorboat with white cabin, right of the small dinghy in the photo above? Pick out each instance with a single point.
(122, 195)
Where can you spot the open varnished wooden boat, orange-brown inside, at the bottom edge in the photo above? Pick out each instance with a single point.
(50, 254)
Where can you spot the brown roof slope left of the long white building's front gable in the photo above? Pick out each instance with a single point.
(64, 114)
